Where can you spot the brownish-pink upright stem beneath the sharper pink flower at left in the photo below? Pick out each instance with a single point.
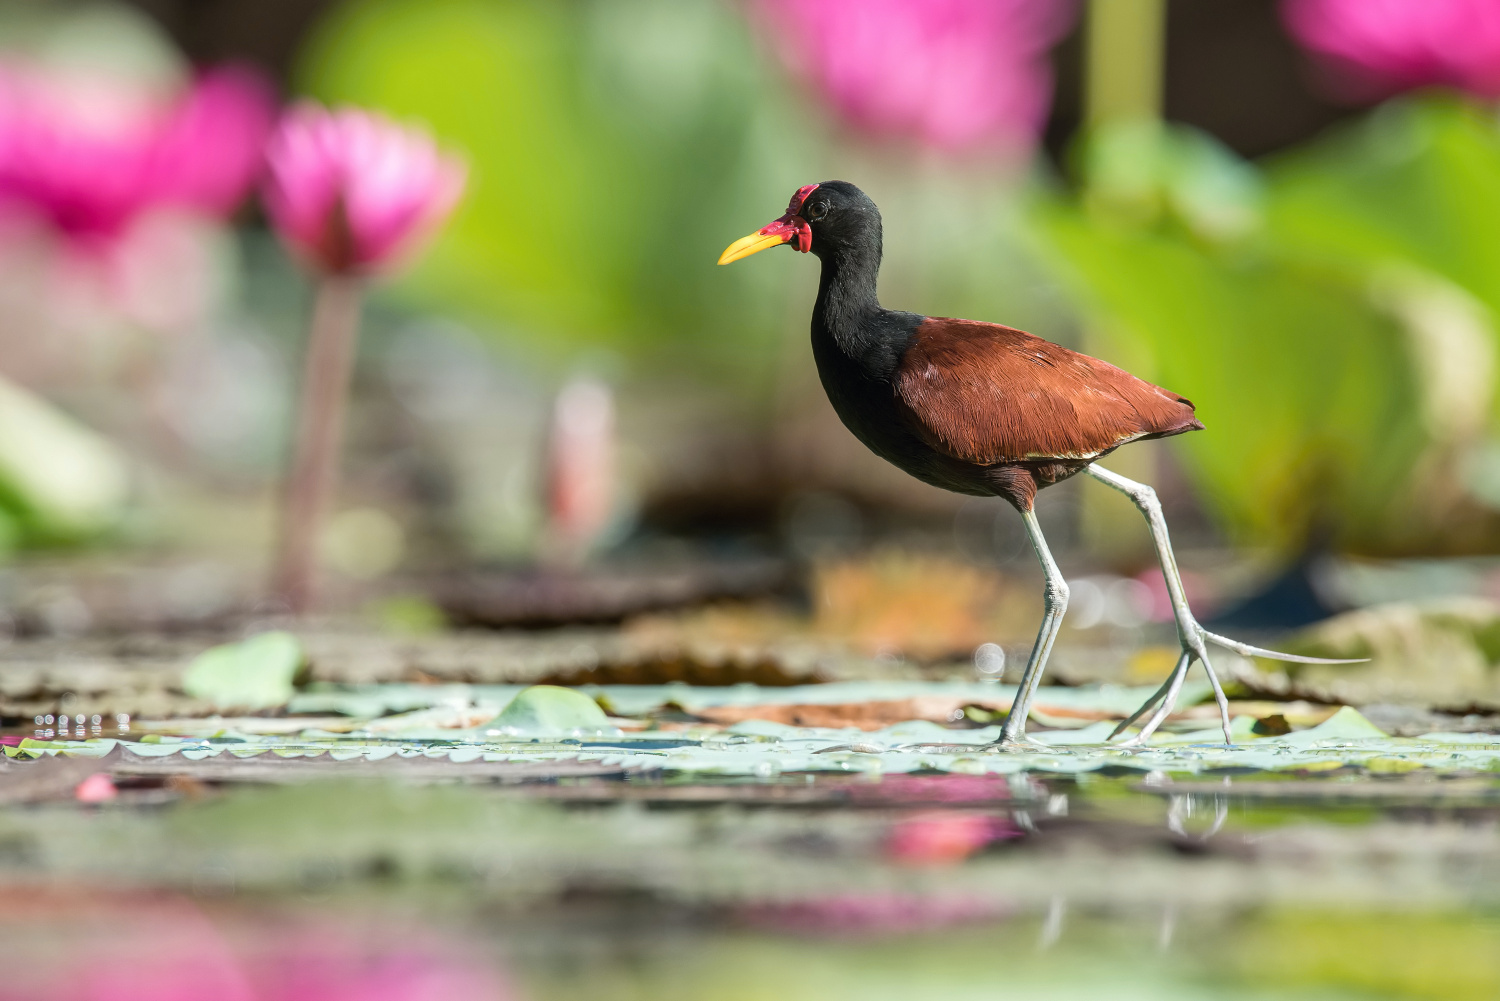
(314, 472)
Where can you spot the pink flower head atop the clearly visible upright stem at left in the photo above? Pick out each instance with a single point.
(352, 191)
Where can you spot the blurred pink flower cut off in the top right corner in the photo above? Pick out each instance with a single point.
(1373, 49)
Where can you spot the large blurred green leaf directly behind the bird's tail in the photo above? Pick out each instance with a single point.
(1306, 389)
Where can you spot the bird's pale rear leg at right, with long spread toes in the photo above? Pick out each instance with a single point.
(1193, 637)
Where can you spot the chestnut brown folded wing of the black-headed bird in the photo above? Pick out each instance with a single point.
(989, 394)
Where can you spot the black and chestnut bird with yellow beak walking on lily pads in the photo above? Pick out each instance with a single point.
(986, 410)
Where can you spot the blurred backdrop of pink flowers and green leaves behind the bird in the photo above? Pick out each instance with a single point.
(1283, 212)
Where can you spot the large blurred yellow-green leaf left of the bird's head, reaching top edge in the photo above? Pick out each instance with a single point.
(616, 148)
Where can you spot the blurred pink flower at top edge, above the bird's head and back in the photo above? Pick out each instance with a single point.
(955, 74)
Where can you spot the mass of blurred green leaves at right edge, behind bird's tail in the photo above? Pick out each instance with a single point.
(1324, 311)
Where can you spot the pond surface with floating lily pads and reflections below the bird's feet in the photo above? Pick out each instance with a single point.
(424, 862)
